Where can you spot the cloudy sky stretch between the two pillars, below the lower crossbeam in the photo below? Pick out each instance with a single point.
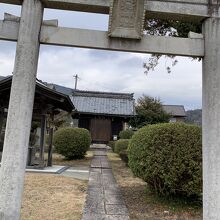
(123, 72)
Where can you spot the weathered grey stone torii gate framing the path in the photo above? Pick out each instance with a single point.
(125, 34)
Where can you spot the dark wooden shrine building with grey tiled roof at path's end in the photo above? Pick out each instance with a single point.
(103, 114)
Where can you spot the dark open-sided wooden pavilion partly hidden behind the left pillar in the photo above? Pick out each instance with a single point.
(47, 104)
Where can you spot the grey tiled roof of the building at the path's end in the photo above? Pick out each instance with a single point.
(92, 102)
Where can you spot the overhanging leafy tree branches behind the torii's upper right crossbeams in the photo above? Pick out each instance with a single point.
(171, 28)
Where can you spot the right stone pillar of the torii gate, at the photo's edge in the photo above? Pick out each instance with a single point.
(211, 120)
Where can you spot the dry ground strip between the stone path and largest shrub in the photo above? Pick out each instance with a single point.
(142, 204)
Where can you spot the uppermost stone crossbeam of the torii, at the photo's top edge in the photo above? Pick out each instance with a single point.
(187, 9)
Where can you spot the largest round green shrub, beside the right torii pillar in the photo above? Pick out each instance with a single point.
(169, 158)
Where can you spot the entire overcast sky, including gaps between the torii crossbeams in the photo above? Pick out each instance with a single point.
(108, 71)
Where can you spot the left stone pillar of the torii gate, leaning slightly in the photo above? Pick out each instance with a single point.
(20, 111)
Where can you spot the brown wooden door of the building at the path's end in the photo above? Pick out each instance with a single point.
(100, 130)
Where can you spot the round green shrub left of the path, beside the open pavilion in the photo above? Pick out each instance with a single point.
(72, 142)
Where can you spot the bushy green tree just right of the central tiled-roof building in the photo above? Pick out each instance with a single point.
(149, 111)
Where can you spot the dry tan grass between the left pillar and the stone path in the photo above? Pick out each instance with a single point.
(53, 197)
